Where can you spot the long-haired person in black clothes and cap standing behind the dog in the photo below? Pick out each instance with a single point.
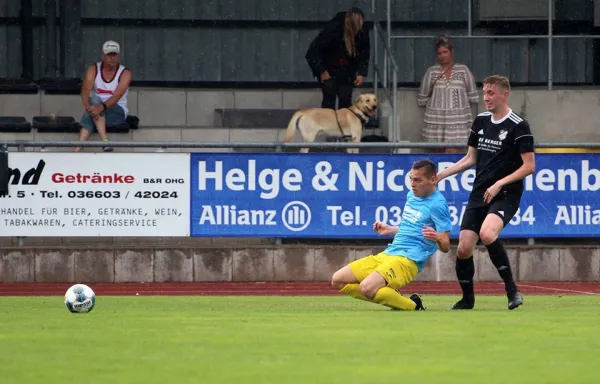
(339, 57)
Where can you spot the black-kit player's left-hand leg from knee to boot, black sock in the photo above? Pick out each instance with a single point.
(465, 269)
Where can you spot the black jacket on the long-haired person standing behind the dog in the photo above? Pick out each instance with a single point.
(327, 52)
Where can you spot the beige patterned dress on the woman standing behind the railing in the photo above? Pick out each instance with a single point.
(448, 116)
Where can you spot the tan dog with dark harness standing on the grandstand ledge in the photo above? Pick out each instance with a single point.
(310, 121)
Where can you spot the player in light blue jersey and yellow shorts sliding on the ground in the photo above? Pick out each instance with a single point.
(424, 228)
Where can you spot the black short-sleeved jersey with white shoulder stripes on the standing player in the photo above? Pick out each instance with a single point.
(499, 147)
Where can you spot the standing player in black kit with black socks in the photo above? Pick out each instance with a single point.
(502, 148)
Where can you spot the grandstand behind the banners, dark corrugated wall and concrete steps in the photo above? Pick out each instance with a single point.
(245, 69)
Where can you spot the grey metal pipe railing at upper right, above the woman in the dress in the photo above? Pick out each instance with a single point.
(549, 36)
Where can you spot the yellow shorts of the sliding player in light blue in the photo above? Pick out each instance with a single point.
(398, 271)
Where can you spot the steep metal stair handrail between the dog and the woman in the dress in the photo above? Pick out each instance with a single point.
(389, 73)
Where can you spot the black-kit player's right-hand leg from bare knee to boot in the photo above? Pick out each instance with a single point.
(490, 229)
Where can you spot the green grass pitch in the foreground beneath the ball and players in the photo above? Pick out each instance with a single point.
(551, 339)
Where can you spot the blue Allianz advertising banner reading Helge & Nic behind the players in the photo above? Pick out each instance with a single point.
(322, 195)
